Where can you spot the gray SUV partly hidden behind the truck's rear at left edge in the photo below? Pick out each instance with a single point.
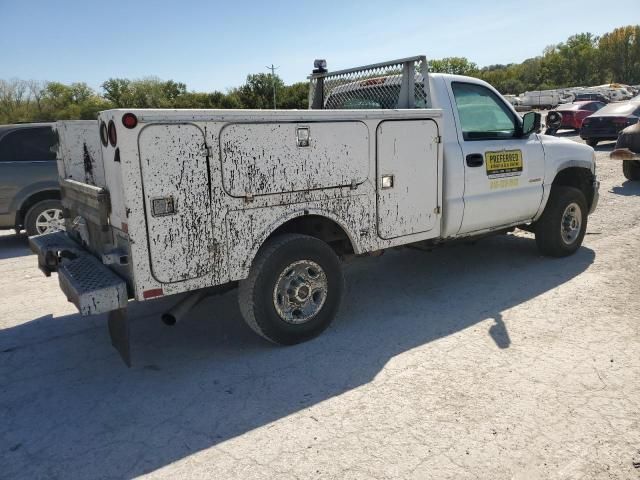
(29, 188)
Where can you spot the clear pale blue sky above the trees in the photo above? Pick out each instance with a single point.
(213, 44)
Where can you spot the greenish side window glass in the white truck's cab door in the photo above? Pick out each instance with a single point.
(482, 114)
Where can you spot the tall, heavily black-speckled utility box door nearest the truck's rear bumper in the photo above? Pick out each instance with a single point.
(173, 161)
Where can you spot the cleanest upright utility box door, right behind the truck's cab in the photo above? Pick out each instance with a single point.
(407, 182)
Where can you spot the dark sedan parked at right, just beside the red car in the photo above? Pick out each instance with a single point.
(608, 122)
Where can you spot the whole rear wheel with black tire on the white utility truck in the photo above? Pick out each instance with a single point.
(306, 313)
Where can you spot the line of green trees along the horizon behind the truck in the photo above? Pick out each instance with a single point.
(583, 59)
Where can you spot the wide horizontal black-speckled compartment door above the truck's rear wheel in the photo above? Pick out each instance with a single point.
(270, 158)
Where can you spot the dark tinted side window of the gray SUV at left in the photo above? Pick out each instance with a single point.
(30, 144)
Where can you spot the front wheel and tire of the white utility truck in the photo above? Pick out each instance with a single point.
(565, 204)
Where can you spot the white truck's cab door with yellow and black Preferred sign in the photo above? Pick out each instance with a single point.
(503, 172)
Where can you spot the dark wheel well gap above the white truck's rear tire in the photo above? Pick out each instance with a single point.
(319, 227)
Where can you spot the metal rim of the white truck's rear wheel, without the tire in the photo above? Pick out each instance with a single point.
(300, 292)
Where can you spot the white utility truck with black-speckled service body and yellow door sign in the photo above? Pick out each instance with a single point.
(206, 200)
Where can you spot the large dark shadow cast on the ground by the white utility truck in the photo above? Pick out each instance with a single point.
(71, 409)
